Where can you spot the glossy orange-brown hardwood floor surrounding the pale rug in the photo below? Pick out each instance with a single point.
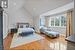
(44, 44)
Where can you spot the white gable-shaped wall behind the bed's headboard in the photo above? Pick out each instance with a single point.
(20, 16)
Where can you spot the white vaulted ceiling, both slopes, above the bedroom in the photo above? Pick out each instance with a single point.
(36, 7)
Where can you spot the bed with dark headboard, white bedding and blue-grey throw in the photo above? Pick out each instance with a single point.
(24, 29)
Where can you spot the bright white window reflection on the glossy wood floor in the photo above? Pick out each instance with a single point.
(58, 46)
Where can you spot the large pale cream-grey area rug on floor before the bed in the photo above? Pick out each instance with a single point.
(18, 41)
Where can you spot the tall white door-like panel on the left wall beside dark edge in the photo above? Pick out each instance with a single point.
(5, 24)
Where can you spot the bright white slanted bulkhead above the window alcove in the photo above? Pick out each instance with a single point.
(59, 9)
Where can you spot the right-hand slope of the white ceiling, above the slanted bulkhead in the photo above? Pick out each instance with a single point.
(37, 7)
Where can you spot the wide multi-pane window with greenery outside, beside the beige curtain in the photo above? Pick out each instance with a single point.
(59, 20)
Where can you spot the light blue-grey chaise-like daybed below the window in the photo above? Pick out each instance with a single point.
(48, 32)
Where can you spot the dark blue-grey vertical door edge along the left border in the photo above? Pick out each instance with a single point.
(1, 29)
